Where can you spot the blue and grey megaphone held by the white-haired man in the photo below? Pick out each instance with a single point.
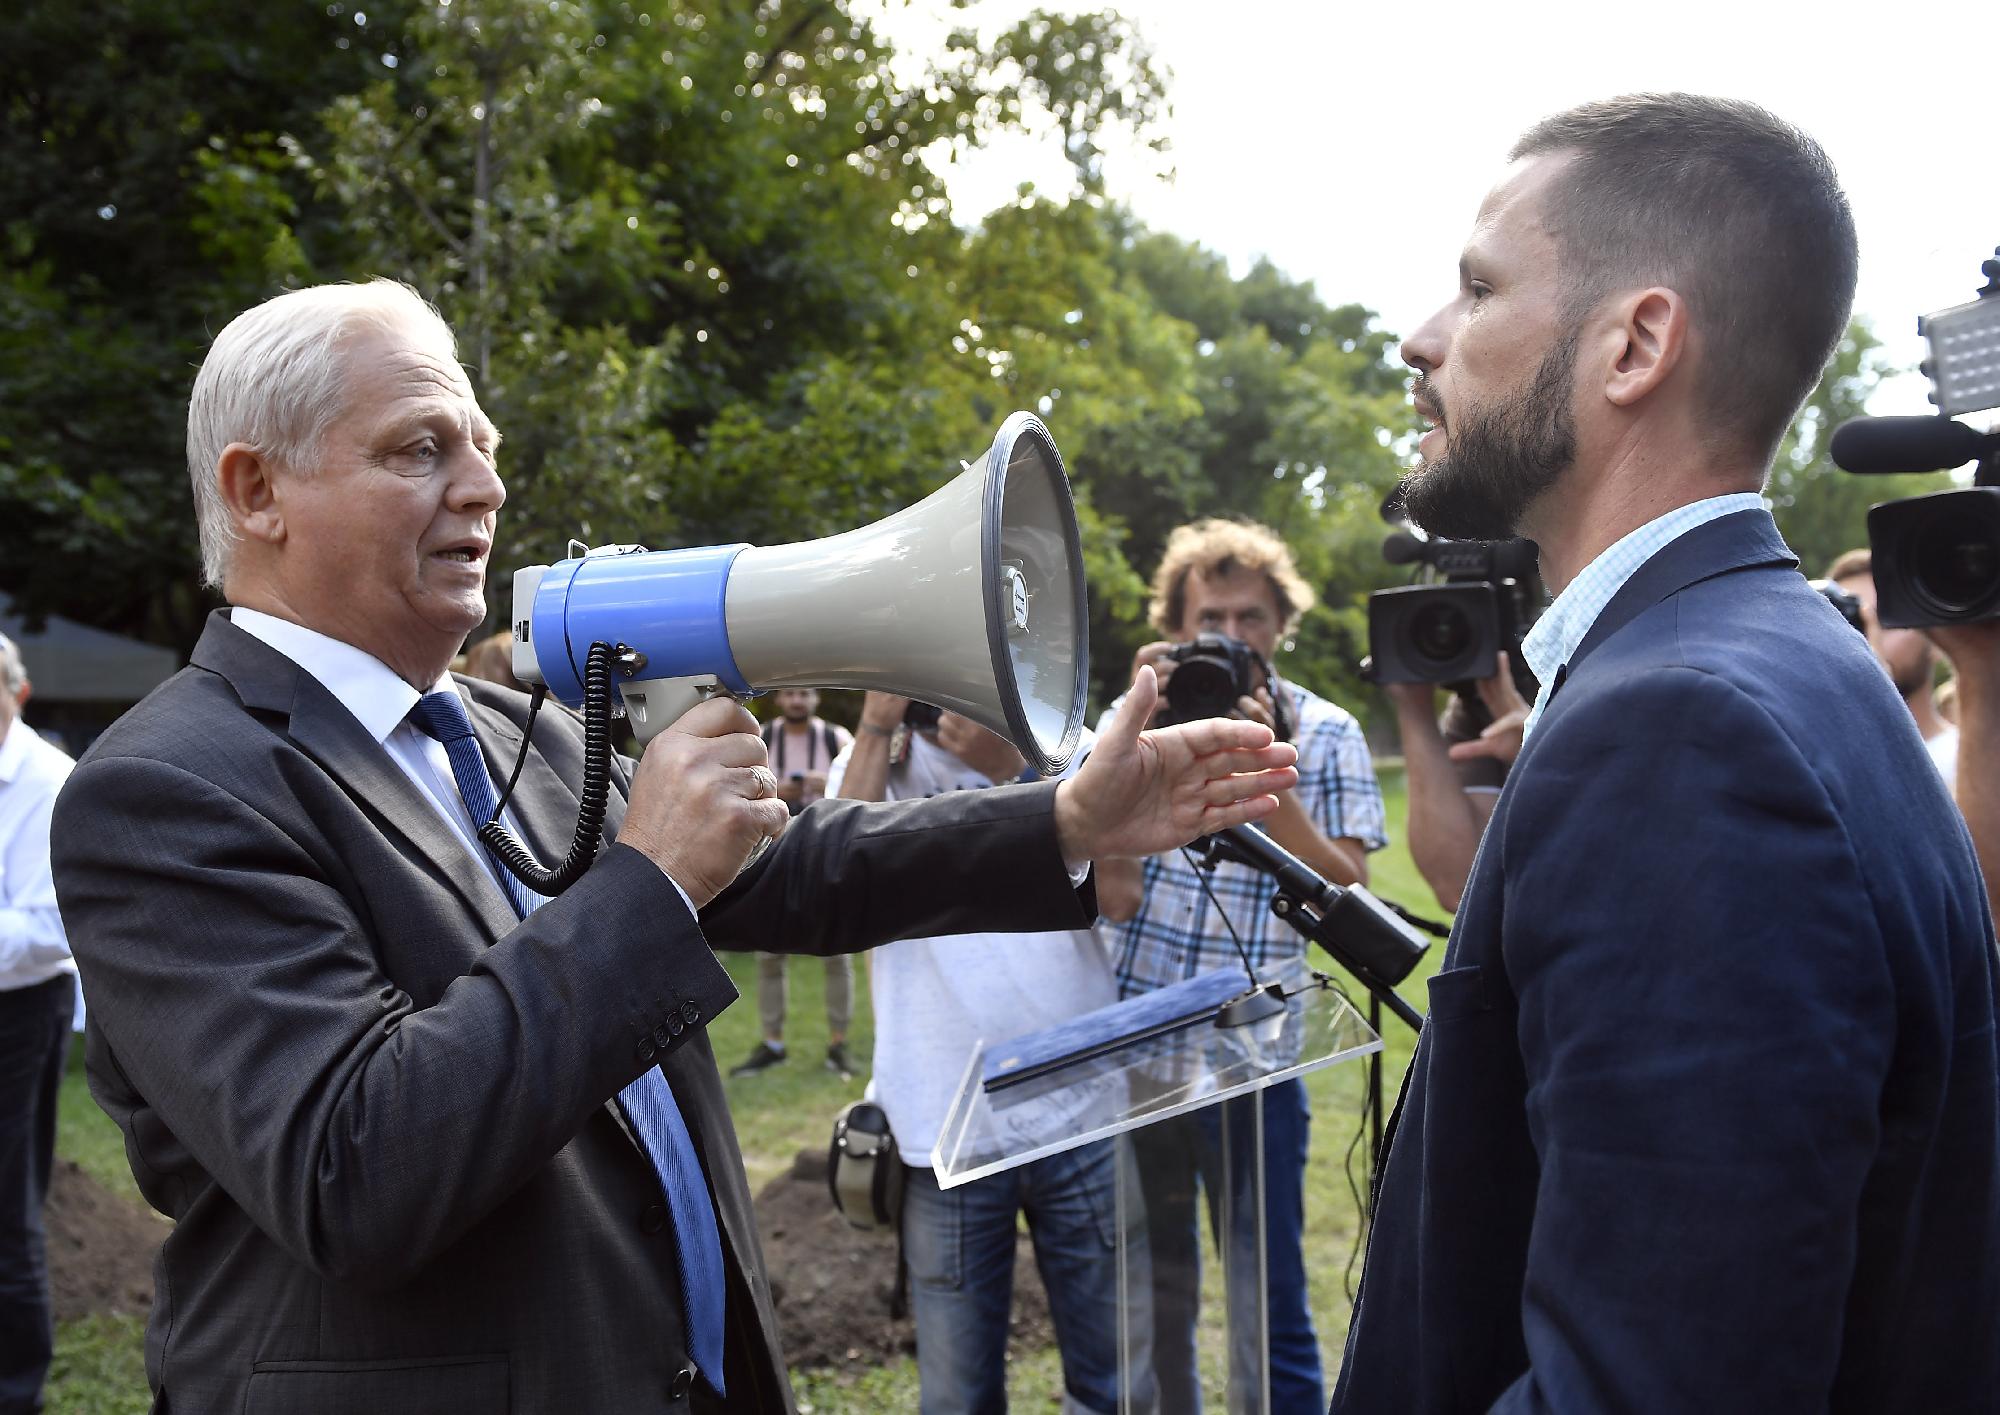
(969, 601)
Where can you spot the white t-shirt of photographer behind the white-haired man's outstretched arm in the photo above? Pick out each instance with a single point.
(937, 1000)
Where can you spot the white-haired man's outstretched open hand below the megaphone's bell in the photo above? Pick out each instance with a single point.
(1145, 792)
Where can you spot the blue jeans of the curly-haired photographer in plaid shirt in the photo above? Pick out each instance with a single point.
(1211, 1150)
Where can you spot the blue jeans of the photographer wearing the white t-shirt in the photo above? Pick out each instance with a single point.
(961, 1252)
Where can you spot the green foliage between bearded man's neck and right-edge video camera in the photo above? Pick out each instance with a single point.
(1821, 509)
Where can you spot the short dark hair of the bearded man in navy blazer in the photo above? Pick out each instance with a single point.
(1729, 207)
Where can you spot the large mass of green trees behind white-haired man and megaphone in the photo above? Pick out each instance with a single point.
(703, 271)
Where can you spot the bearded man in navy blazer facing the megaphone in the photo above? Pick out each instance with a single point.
(1707, 1110)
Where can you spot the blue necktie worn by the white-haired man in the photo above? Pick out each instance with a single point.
(649, 1102)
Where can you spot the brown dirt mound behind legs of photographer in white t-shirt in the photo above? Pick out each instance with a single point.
(833, 1282)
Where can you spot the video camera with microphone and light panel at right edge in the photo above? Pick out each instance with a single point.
(1937, 559)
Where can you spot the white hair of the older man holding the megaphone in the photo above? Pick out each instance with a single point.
(275, 381)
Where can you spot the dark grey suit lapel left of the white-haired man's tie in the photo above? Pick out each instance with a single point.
(267, 681)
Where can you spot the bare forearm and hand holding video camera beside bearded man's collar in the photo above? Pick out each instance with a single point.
(1455, 768)
